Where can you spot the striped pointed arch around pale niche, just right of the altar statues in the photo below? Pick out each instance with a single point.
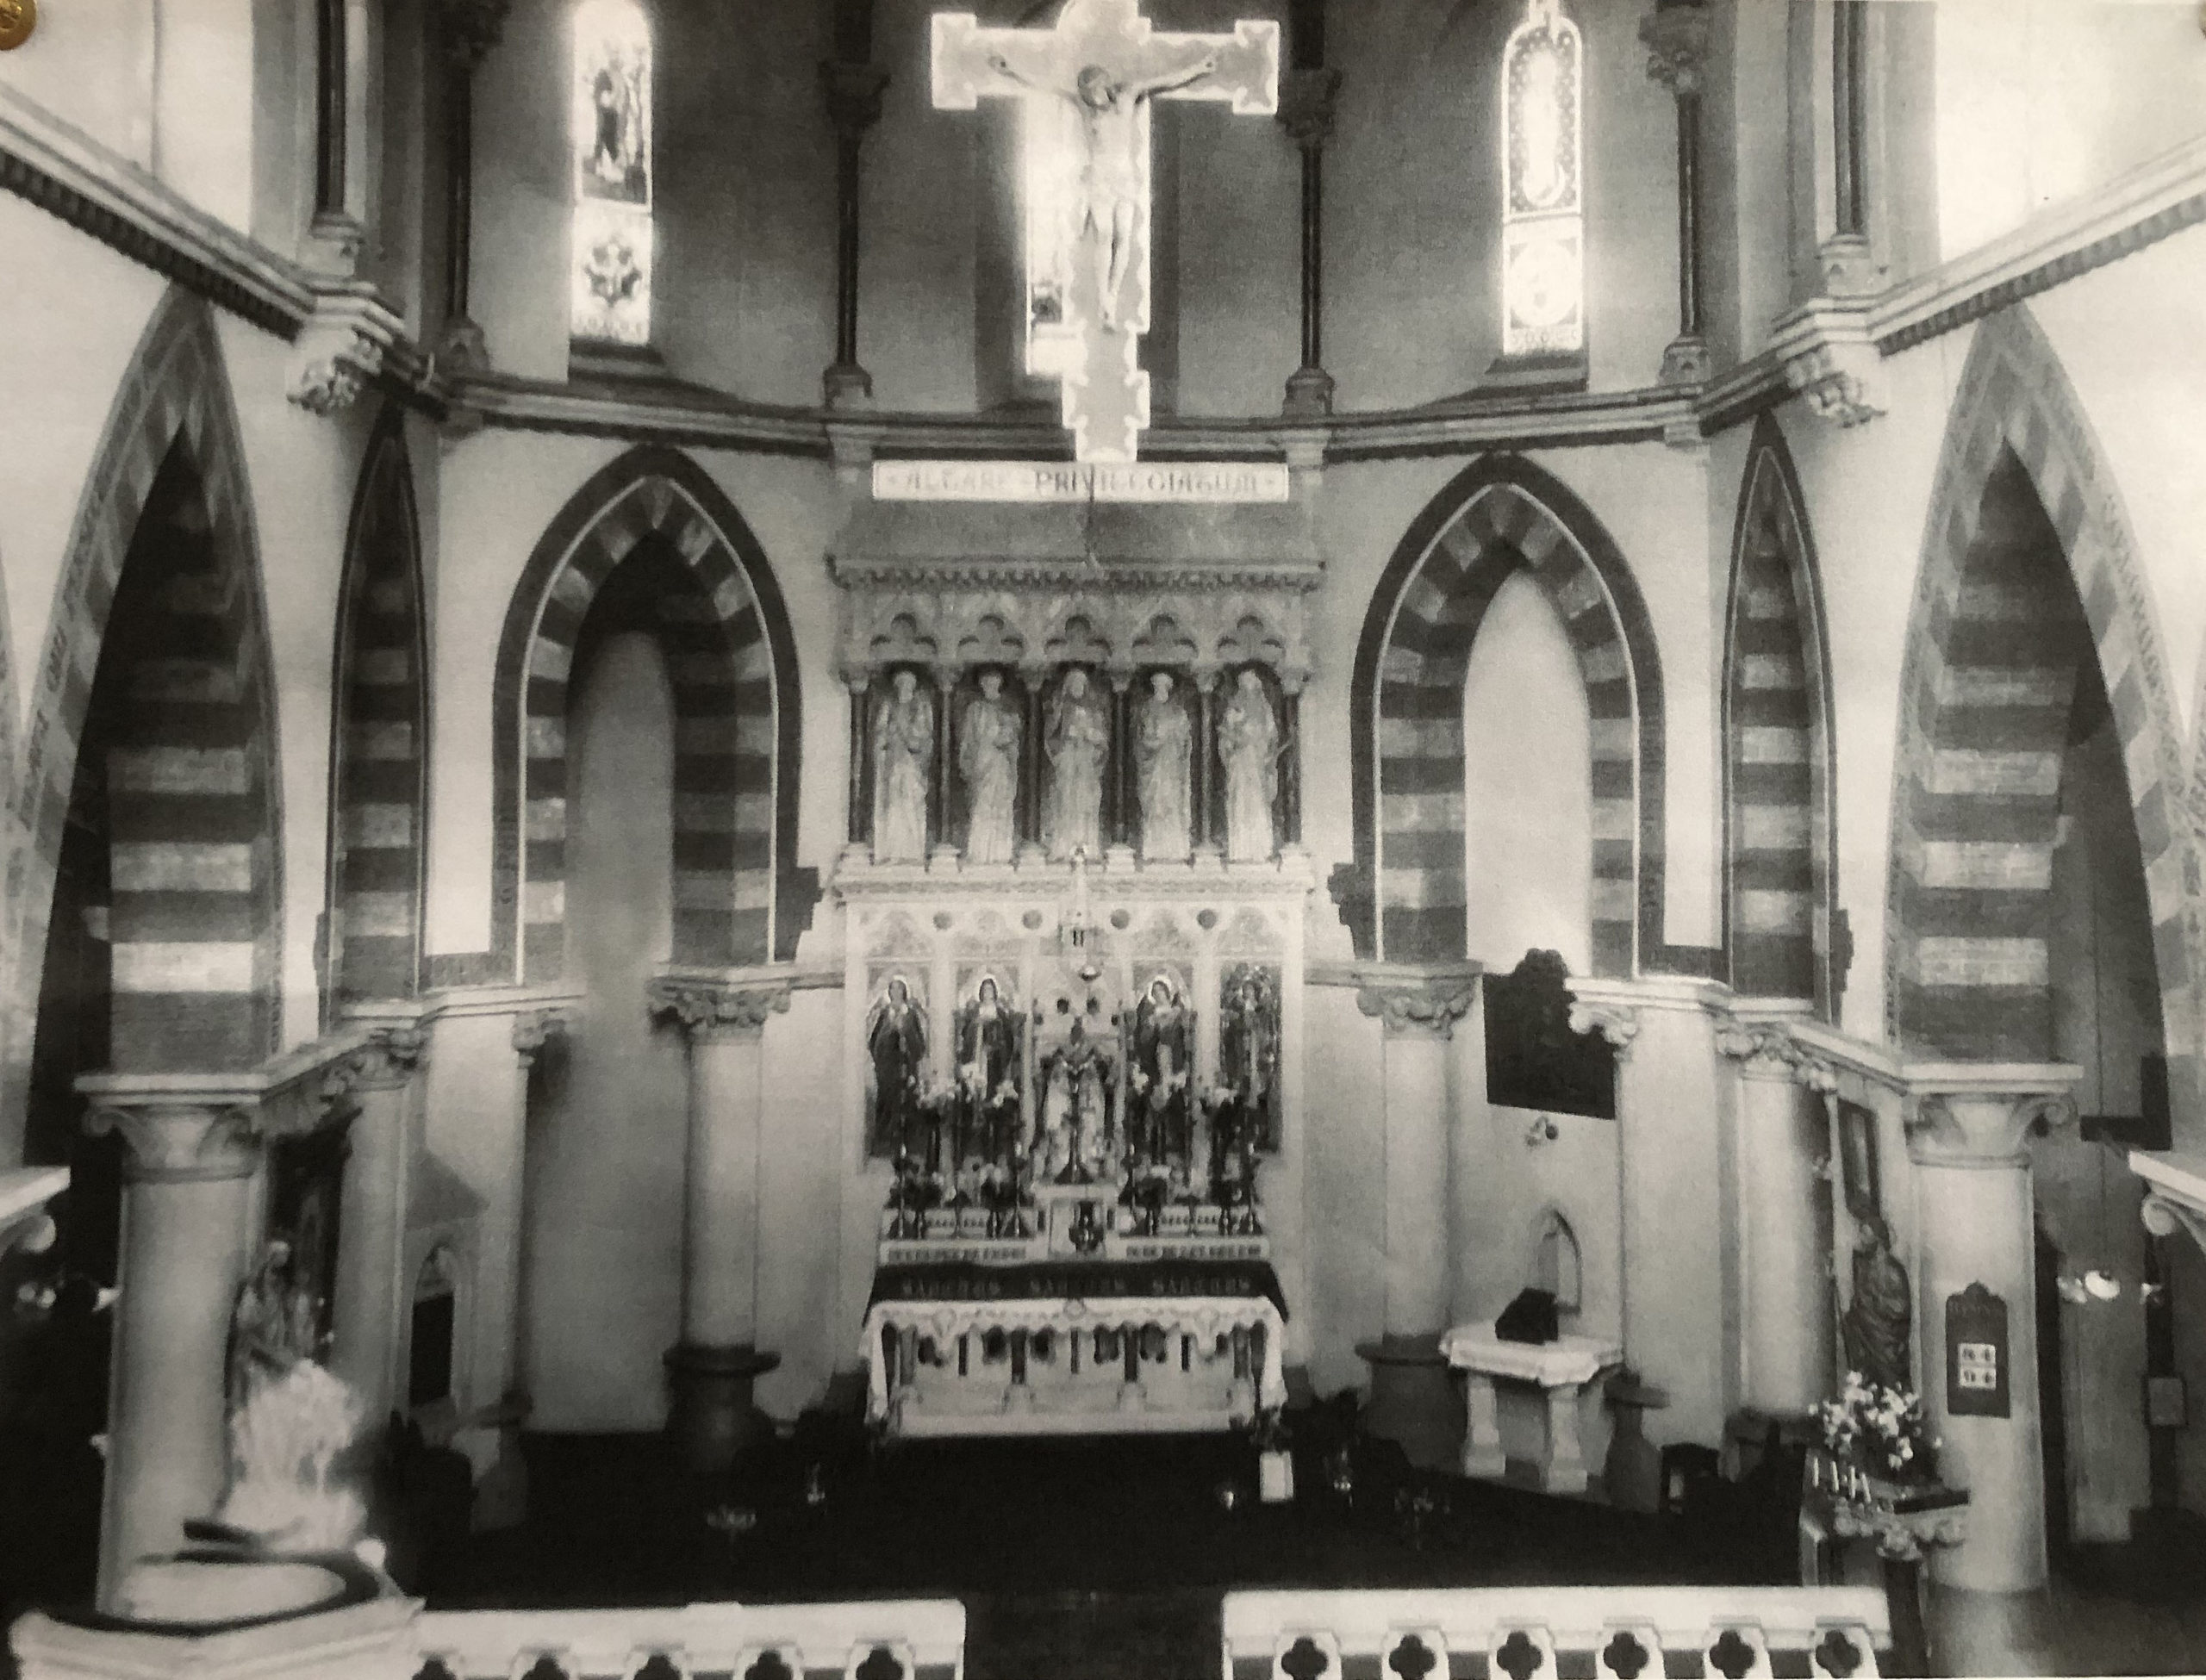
(1499, 517)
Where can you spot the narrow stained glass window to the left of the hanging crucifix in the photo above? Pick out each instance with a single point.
(610, 277)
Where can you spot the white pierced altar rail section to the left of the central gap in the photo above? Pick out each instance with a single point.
(908, 1639)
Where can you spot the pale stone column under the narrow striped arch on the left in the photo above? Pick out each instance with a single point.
(372, 1225)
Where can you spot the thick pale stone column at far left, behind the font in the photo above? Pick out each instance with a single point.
(186, 1240)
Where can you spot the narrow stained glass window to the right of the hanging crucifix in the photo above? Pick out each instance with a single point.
(1543, 186)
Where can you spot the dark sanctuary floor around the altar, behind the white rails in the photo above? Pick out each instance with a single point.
(1100, 1560)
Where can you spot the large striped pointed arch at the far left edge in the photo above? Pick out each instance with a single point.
(180, 647)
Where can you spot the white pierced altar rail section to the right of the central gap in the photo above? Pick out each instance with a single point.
(1550, 1633)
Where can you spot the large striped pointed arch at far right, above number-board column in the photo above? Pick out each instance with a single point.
(2028, 570)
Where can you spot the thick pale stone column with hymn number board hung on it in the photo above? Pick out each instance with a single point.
(1969, 1139)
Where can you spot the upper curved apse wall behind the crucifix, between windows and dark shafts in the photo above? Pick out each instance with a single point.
(745, 211)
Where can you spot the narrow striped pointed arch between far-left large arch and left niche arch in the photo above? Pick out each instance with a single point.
(378, 749)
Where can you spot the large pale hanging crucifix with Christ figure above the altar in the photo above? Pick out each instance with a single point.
(1086, 87)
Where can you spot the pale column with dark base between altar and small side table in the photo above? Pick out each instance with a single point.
(1413, 1397)
